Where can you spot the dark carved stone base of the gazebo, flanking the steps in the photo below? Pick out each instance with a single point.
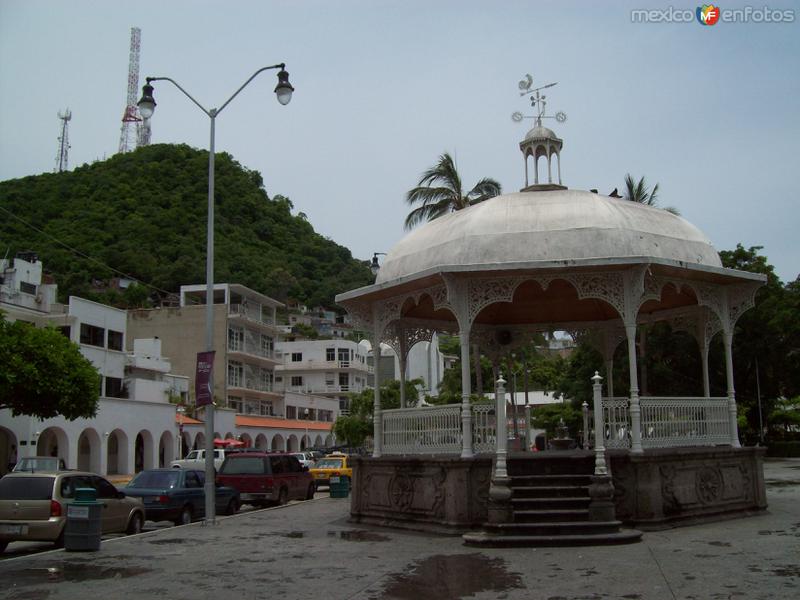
(657, 489)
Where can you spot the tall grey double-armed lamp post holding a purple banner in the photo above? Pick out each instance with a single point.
(147, 107)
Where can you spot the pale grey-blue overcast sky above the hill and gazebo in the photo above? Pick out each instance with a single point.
(384, 87)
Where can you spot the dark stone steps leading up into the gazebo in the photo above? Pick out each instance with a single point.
(549, 506)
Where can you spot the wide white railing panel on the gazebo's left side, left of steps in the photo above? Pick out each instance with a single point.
(429, 430)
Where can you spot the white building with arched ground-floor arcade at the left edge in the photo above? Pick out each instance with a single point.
(135, 422)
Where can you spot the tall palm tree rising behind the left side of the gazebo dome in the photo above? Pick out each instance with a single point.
(439, 192)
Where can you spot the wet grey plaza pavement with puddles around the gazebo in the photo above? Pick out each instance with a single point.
(309, 550)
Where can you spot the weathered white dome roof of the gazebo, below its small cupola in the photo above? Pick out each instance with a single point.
(545, 227)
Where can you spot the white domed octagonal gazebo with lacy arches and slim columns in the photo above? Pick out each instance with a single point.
(542, 259)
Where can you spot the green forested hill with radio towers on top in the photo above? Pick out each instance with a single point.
(144, 214)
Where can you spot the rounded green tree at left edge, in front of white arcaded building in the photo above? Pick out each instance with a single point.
(43, 374)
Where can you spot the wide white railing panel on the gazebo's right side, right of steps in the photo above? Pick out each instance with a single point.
(670, 422)
